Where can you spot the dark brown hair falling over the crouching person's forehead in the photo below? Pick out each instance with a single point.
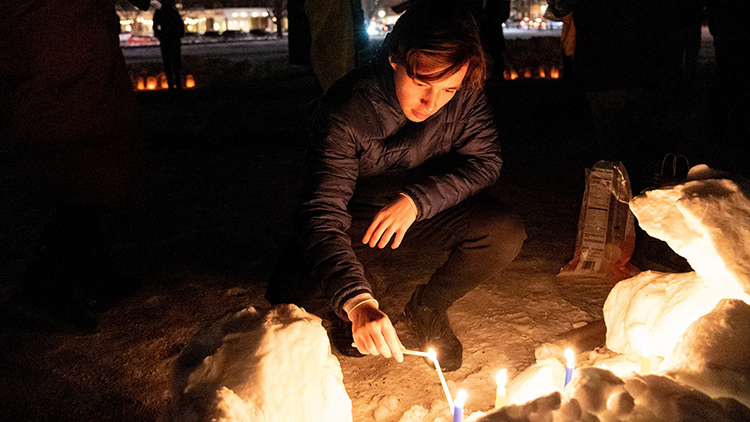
(444, 33)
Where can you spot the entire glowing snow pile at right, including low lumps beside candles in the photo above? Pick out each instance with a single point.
(678, 345)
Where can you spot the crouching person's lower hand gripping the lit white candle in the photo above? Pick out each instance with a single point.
(374, 334)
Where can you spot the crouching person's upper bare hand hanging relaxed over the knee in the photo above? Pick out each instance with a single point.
(392, 220)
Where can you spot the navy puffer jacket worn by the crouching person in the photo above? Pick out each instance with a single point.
(363, 149)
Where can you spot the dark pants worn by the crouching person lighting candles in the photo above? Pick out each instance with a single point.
(481, 235)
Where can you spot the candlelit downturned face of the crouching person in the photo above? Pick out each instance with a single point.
(419, 99)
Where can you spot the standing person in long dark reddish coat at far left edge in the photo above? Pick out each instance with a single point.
(71, 157)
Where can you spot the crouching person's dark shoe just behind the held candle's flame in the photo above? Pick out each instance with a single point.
(433, 330)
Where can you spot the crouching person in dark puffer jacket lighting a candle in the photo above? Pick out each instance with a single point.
(400, 154)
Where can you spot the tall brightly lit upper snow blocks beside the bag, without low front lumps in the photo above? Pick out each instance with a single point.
(706, 221)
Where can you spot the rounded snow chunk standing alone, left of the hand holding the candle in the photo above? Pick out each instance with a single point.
(261, 366)
